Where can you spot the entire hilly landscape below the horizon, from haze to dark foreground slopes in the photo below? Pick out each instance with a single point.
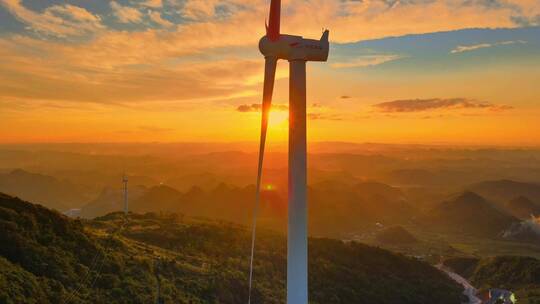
(188, 228)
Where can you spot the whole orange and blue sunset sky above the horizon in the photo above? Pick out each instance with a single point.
(403, 71)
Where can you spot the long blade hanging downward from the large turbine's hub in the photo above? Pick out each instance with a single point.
(269, 76)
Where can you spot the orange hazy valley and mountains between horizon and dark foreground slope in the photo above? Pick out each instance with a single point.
(356, 186)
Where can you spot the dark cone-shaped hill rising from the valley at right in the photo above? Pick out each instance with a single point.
(469, 213)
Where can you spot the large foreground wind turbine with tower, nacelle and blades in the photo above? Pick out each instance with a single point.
(297, 50)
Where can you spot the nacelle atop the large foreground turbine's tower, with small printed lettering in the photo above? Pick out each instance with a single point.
(289, 47)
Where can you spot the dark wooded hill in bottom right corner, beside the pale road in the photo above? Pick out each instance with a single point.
(517, 274)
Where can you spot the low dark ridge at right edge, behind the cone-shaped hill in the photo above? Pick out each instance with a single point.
(502, 191)
